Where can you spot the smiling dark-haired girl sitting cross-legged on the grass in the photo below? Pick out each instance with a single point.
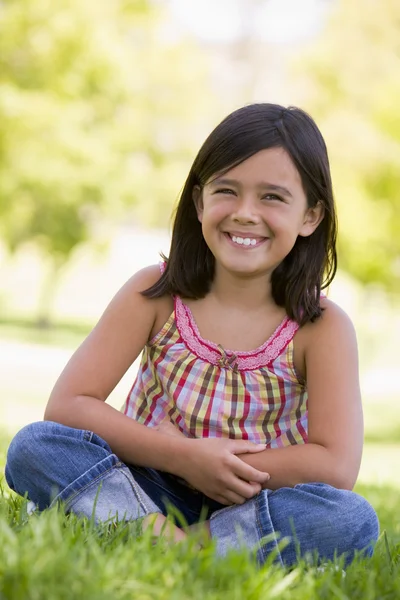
(247, 403)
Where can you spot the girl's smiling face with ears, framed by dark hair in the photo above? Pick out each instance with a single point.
(252, 214)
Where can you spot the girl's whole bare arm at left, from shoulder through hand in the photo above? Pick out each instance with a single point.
(78, 400)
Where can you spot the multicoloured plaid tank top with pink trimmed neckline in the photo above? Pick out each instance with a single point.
(207, 391)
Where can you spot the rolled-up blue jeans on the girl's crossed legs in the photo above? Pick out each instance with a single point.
(52, 463)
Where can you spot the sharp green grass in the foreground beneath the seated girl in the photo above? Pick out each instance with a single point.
(58, 557)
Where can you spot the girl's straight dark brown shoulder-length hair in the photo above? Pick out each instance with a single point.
(310, 266)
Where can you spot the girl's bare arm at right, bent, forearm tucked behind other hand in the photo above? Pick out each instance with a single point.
(333, 452)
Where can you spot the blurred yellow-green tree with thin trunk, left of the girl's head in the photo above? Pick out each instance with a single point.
(99, 109)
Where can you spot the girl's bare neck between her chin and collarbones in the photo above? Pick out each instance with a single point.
(235, 291)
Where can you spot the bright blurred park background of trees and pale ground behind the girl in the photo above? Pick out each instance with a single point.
(103, 106)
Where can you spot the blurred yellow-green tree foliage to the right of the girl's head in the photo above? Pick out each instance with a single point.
(354, 75)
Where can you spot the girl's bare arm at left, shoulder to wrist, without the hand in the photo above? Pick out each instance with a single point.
(78, 398)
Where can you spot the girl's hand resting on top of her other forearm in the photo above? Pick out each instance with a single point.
(212, 467)
